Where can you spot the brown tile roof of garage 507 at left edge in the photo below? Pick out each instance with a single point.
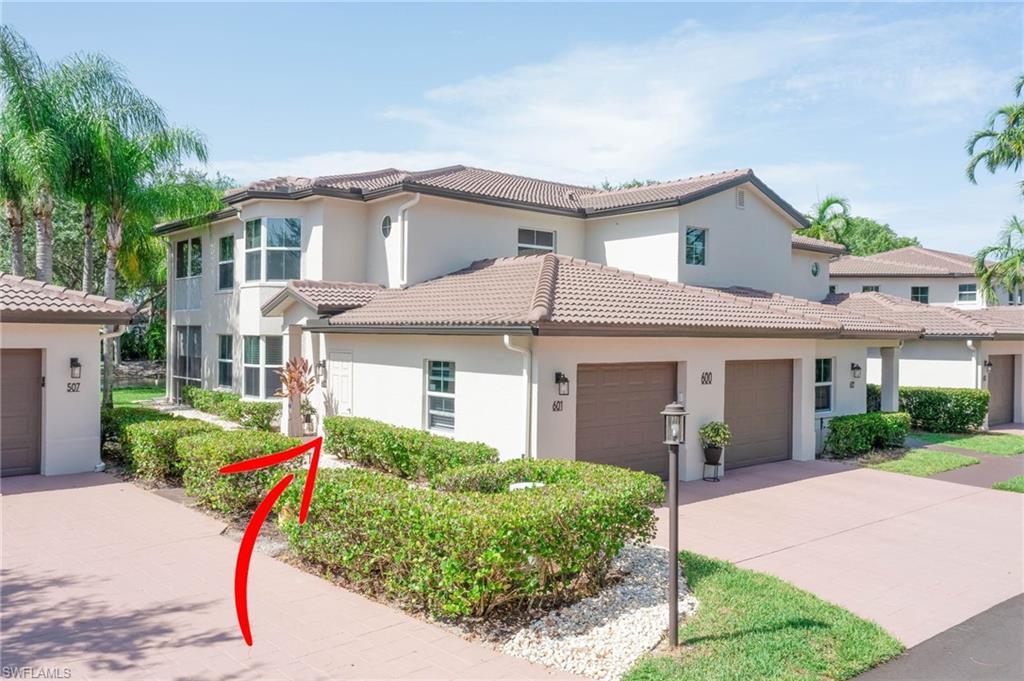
(24, 300)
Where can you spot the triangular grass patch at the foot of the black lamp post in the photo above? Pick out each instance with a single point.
(753, 626)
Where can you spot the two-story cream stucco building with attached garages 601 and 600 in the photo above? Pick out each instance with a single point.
(544, 319)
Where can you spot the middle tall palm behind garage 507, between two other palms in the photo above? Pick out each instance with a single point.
(96, 97)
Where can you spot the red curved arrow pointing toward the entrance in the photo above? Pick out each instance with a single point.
(261, 515)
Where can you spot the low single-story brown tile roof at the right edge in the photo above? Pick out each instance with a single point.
(936, 321)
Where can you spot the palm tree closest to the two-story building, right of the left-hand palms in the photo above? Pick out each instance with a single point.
(141, 188)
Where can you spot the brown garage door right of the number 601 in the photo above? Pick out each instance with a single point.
(619, 418)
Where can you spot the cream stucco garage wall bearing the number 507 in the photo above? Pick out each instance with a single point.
(70, 420)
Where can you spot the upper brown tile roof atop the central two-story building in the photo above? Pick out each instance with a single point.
(501, 189)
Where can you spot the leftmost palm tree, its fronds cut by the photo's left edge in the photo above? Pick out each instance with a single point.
(30, 126)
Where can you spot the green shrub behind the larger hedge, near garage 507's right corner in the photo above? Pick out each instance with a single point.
(149, 447)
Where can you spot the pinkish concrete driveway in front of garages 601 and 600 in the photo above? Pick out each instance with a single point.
(916, 556)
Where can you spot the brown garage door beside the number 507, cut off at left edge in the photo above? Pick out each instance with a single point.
(21, 411)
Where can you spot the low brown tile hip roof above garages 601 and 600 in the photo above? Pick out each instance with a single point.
(553, 294)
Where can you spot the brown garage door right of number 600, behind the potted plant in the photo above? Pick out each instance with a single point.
(759, 411)
